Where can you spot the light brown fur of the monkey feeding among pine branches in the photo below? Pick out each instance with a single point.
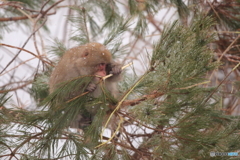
(82, 60)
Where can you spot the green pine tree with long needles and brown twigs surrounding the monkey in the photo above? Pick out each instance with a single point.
(183, 104)
